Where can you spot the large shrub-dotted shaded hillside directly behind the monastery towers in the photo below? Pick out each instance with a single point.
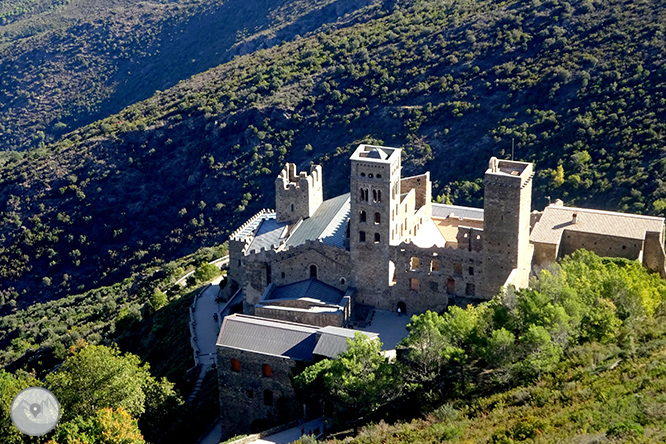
(579, 86)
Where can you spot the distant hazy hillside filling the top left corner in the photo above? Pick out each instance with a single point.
(65, 64)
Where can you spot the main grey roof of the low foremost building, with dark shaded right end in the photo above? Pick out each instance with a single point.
(268, 336)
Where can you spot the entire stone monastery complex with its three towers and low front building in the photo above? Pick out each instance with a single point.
(306, 265)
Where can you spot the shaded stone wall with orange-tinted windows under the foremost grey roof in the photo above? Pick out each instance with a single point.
(249, 400)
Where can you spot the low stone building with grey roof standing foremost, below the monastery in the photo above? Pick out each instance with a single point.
(256, 358)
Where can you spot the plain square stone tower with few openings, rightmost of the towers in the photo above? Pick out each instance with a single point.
(507, 252)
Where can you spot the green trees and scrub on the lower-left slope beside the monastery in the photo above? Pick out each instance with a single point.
(51, 339)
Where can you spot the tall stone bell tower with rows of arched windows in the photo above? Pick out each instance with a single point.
(373, 225)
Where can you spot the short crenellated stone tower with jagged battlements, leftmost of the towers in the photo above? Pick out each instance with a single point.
(297, 195)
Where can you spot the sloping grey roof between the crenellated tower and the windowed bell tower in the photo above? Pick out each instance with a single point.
(328, 224)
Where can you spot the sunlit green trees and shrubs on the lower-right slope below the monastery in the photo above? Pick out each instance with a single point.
(577, 357)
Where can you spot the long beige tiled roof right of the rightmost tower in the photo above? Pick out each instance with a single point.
(556, 219)
